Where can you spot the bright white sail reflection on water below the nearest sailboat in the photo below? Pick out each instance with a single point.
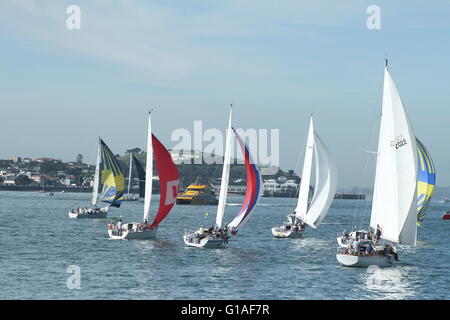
(393, 283)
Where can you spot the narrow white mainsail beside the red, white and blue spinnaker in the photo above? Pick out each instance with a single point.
(225, 175)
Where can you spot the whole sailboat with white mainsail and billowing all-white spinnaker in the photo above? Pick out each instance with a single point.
(311, 212)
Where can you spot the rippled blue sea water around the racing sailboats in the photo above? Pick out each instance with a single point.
(39, 242)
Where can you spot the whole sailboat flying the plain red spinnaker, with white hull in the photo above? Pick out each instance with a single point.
(169, 180)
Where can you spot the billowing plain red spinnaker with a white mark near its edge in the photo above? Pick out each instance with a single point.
(169, 180)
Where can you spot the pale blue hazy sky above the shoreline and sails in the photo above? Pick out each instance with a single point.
(277, 62)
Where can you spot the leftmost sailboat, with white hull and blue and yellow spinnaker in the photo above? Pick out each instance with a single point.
(109, 176)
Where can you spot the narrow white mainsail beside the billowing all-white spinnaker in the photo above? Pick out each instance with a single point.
(303, 195)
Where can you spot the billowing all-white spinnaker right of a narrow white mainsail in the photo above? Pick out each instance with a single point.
(326, 183)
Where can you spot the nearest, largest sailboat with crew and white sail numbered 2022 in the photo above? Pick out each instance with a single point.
(394, 205)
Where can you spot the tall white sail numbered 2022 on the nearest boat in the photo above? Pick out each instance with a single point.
(394, 205)
